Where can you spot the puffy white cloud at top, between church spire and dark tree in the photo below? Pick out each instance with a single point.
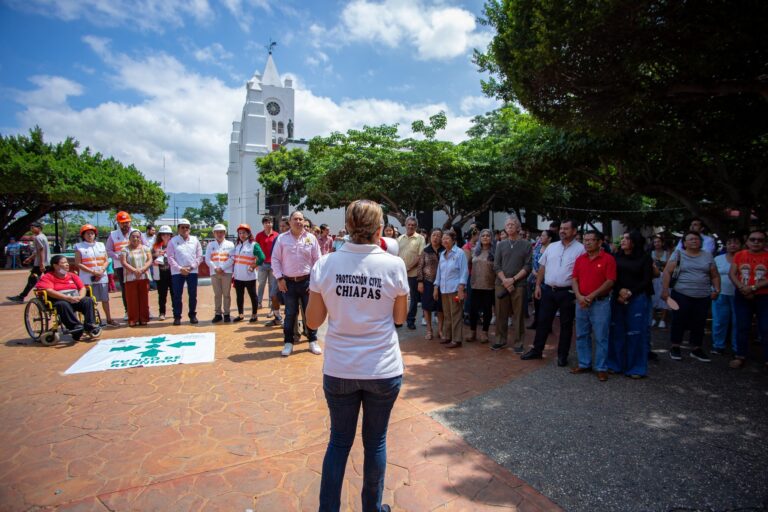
(436, 31)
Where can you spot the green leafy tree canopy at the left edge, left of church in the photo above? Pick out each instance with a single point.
(38, 178)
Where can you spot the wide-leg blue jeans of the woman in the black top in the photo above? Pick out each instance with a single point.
(628, 347)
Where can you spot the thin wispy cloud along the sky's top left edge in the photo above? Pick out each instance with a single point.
(150, 15)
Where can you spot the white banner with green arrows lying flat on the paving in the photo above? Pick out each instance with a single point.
(158, 350)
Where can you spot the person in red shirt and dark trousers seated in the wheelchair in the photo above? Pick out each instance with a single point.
(68, 295)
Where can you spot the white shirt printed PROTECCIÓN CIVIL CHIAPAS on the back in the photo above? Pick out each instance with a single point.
(359, 284)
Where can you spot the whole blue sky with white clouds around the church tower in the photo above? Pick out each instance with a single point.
(150, 80)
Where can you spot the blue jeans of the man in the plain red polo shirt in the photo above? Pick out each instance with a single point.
(596, 319)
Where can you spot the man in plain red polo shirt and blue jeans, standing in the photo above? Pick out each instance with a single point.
(593, 276)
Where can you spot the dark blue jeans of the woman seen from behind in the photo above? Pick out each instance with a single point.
(344, 397)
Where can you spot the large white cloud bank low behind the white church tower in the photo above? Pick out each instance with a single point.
(187, 117)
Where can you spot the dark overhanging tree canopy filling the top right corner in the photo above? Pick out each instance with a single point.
(678, 90)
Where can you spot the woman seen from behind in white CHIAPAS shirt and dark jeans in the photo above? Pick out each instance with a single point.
(363, 291)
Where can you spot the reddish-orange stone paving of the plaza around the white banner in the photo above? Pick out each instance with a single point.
(247, 431)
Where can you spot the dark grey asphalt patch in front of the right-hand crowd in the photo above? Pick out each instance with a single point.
(692, 436)
